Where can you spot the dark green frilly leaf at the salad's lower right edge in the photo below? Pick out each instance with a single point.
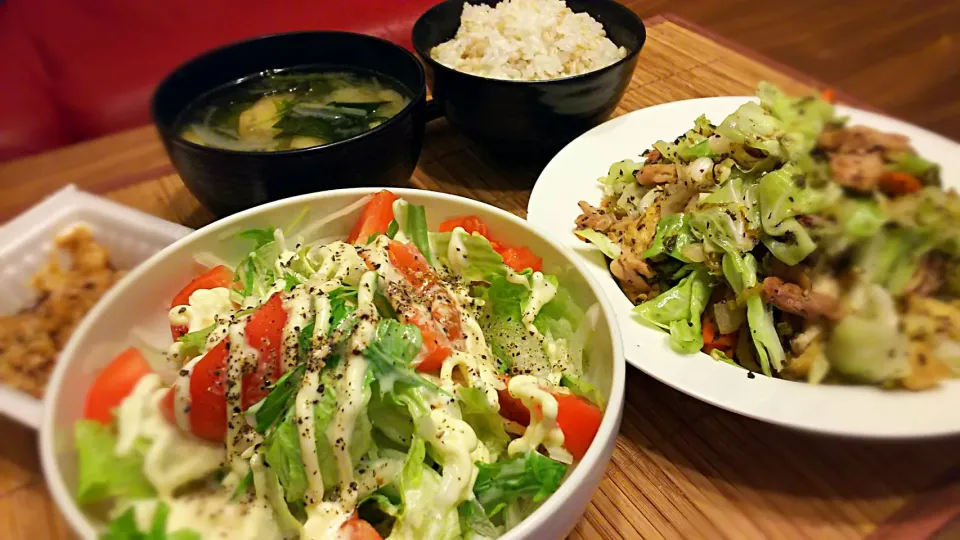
(532, 476)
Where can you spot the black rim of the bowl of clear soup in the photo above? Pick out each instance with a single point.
(169, 134)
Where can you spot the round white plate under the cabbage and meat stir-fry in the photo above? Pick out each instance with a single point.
(840, 410)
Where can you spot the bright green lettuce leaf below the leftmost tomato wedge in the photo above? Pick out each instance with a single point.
(103, 475)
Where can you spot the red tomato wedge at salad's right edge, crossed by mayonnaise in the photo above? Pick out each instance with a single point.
(577, 418)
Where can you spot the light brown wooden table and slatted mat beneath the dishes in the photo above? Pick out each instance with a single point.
(681, 468)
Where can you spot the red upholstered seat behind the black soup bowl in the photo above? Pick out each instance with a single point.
(77, 69)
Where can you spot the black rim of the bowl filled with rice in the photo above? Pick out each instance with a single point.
(632, 52)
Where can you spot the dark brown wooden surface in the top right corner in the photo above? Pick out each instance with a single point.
(900, 56)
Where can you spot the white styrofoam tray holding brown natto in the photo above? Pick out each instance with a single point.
(26, 242)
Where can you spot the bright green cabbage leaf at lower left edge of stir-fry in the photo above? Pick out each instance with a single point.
(680, 309)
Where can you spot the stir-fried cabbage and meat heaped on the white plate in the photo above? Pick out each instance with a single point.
(787, 242)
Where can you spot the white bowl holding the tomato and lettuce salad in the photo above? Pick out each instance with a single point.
(139, 304)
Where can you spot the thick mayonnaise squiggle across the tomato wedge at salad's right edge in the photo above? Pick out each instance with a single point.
(543, 427)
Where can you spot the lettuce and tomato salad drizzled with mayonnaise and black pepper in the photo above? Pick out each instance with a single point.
(399, 383)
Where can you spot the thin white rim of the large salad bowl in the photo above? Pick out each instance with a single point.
(597, 456)
